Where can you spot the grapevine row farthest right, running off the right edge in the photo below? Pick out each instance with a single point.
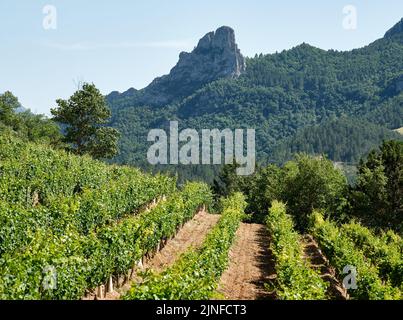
(385, 251)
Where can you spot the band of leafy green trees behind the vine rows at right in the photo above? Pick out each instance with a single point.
(307, 183)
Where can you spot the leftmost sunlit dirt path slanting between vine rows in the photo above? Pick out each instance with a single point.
(192, 234)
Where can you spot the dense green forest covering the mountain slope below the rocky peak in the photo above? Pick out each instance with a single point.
(305, 99)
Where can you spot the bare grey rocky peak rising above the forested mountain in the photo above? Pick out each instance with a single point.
(216, 56)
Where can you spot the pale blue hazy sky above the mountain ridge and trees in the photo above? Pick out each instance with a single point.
(127, 43)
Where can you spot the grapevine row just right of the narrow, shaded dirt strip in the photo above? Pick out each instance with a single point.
(342, 252)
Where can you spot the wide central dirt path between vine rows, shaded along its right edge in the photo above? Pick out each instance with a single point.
(251, 265)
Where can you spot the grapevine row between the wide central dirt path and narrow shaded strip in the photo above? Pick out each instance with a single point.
(296, 280)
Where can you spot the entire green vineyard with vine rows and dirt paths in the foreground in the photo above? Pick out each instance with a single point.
(75, 228)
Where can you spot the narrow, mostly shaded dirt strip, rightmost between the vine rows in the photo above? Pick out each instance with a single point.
(319, 262)
